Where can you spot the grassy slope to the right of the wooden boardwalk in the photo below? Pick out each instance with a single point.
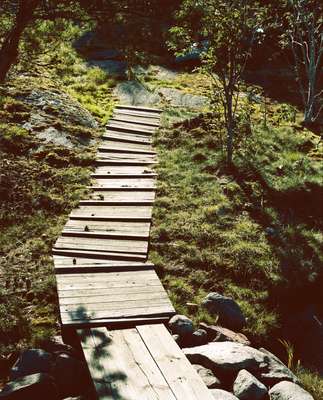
(252, 232)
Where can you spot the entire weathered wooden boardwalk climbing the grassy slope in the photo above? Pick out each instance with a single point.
(106, 288)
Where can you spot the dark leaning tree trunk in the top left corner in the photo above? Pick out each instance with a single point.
(10, 48)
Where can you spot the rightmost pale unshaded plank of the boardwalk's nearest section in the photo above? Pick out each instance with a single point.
(177, 370)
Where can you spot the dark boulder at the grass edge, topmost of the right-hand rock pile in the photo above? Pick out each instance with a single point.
(227, 309)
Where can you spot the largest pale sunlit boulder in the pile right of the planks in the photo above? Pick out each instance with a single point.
(226, 359)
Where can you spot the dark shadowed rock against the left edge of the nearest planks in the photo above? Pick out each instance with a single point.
(70, 375)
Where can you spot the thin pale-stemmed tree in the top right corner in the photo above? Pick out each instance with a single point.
(305, 38)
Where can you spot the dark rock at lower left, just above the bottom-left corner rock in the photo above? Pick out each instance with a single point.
(31, 362)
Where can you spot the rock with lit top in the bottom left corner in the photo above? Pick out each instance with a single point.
(34, 386)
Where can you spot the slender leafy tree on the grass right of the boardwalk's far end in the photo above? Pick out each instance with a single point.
(229, 30)
